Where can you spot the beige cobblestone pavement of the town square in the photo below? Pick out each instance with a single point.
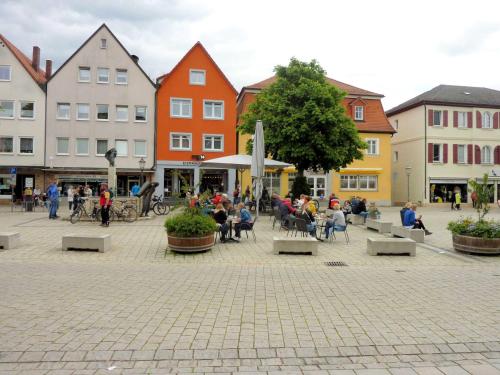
(238, 308)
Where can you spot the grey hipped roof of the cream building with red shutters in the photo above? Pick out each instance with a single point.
(465, 96)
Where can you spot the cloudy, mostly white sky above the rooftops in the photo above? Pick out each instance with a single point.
(397, 48)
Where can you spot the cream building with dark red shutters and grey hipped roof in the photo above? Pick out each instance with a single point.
(445, 137)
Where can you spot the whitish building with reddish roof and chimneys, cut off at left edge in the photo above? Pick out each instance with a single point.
(22, 118)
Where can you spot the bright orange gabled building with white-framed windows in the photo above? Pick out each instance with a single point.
(196, 121)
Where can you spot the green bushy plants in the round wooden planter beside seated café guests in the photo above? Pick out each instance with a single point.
(190, 223)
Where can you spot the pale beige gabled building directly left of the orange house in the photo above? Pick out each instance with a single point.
(99, 99)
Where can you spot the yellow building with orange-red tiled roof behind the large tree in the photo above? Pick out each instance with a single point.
(369, 178)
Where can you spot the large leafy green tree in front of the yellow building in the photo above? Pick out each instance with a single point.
(305, 123)
